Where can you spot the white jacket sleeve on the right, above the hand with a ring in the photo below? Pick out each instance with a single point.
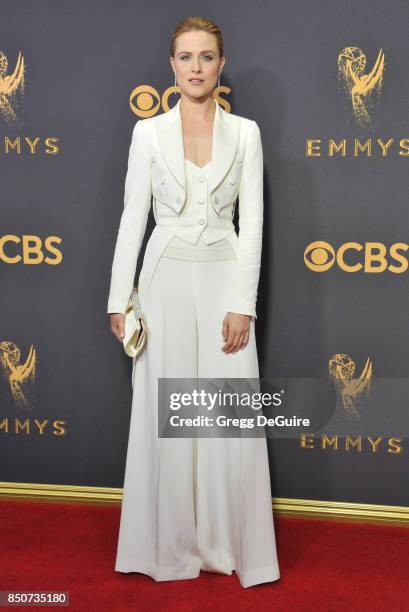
(244, 287)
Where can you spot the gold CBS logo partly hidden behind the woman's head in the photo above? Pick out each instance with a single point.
(145, 100)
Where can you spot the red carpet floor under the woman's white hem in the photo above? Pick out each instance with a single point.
(324, 566)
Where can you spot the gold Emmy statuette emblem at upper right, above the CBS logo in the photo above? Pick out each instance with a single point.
(359, 86)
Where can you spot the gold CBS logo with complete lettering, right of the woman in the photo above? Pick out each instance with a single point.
(371, 257)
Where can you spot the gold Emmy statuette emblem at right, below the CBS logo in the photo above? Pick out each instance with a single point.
(341, 369)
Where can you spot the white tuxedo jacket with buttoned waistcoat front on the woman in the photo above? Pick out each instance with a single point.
(156, 175)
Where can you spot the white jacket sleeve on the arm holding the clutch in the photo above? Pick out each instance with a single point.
(137, 203)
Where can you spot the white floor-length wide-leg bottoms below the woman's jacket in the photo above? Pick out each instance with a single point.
(192, 504)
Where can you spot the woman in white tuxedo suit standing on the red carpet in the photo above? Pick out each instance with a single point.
(192, 504)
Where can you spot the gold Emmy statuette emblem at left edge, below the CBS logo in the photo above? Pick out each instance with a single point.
(18, 375)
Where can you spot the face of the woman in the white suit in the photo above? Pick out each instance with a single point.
(196, 63)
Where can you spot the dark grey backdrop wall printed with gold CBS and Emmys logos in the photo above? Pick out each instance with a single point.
(328, 86)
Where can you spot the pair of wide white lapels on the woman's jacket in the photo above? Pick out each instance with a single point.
(224, 144)
